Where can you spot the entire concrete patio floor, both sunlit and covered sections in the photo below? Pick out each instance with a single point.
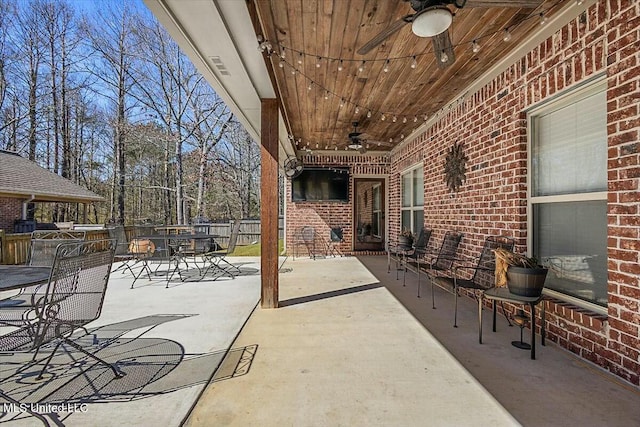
(350, 346)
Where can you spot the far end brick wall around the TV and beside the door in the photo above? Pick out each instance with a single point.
(325, 215)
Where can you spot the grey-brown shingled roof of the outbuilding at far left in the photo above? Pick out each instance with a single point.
(20, 178)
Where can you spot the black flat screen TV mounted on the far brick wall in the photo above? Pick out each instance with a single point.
(321, 185)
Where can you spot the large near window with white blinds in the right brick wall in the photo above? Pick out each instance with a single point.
(568, 193)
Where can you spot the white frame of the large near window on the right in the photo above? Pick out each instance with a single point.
(586, 89)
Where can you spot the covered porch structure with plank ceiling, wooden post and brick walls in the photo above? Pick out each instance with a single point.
(520, 119)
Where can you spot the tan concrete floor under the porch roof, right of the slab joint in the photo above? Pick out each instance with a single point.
(350, 346)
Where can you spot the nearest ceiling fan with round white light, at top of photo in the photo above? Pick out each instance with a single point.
(432, 18)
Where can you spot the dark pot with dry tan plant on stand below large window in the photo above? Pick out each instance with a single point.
(525, 277)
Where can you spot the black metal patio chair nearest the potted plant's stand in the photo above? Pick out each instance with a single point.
(483, 276)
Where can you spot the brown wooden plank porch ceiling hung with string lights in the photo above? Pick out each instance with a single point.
(317, 36)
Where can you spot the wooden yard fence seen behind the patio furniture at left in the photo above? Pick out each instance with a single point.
(14, 248)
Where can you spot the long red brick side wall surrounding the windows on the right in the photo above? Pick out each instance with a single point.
(492, 127)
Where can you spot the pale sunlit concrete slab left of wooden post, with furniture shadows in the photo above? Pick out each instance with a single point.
(167, 358)
